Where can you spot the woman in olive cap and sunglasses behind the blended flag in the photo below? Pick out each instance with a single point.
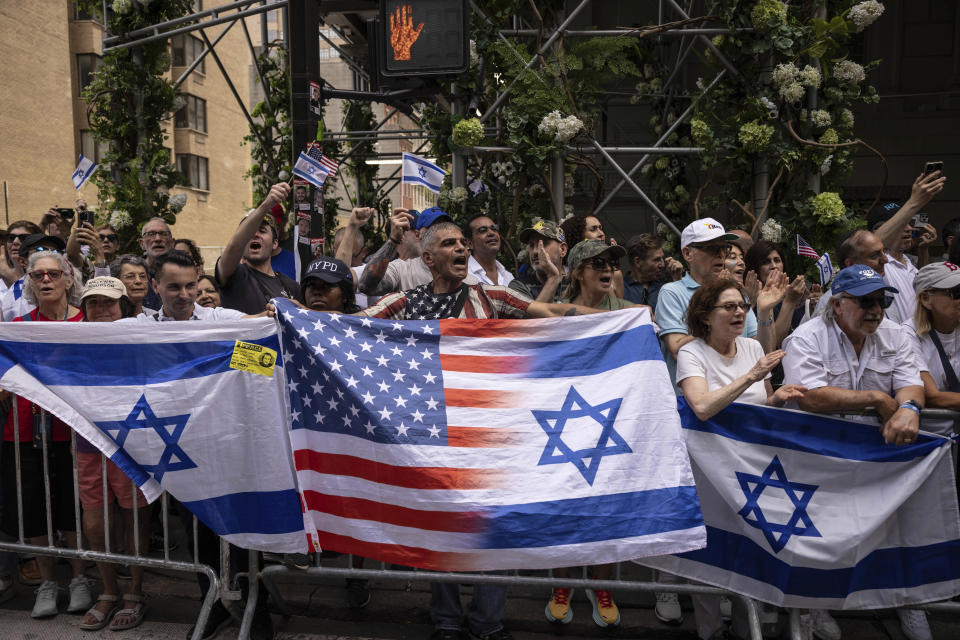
(593, 270)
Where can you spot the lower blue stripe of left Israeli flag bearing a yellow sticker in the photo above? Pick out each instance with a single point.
(243, 512)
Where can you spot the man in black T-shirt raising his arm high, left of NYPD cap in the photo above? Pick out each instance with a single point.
(246, 277)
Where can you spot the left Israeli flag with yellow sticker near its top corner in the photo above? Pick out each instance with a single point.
(175, 407)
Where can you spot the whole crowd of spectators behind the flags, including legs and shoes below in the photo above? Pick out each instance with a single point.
(733, 327)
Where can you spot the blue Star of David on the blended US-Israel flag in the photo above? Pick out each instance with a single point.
(587, 460)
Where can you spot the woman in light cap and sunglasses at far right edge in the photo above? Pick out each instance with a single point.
(936, 334)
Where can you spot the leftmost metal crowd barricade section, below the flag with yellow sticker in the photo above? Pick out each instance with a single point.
(218, 583)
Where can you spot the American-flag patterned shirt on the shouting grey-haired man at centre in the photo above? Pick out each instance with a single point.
(483, 301)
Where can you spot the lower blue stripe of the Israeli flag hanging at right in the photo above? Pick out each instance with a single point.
(891, 568)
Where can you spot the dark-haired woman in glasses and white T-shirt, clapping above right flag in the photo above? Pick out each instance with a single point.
(720, 366)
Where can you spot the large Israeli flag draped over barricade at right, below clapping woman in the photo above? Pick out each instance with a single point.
(811, 511)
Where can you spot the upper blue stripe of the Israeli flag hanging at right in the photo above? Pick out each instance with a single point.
(807, 432)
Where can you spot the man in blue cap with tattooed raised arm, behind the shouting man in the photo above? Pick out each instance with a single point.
(400, 274)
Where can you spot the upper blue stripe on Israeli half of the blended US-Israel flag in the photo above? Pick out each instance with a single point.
(593, 355)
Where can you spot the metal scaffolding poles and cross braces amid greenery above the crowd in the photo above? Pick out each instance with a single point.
(689, 31)
